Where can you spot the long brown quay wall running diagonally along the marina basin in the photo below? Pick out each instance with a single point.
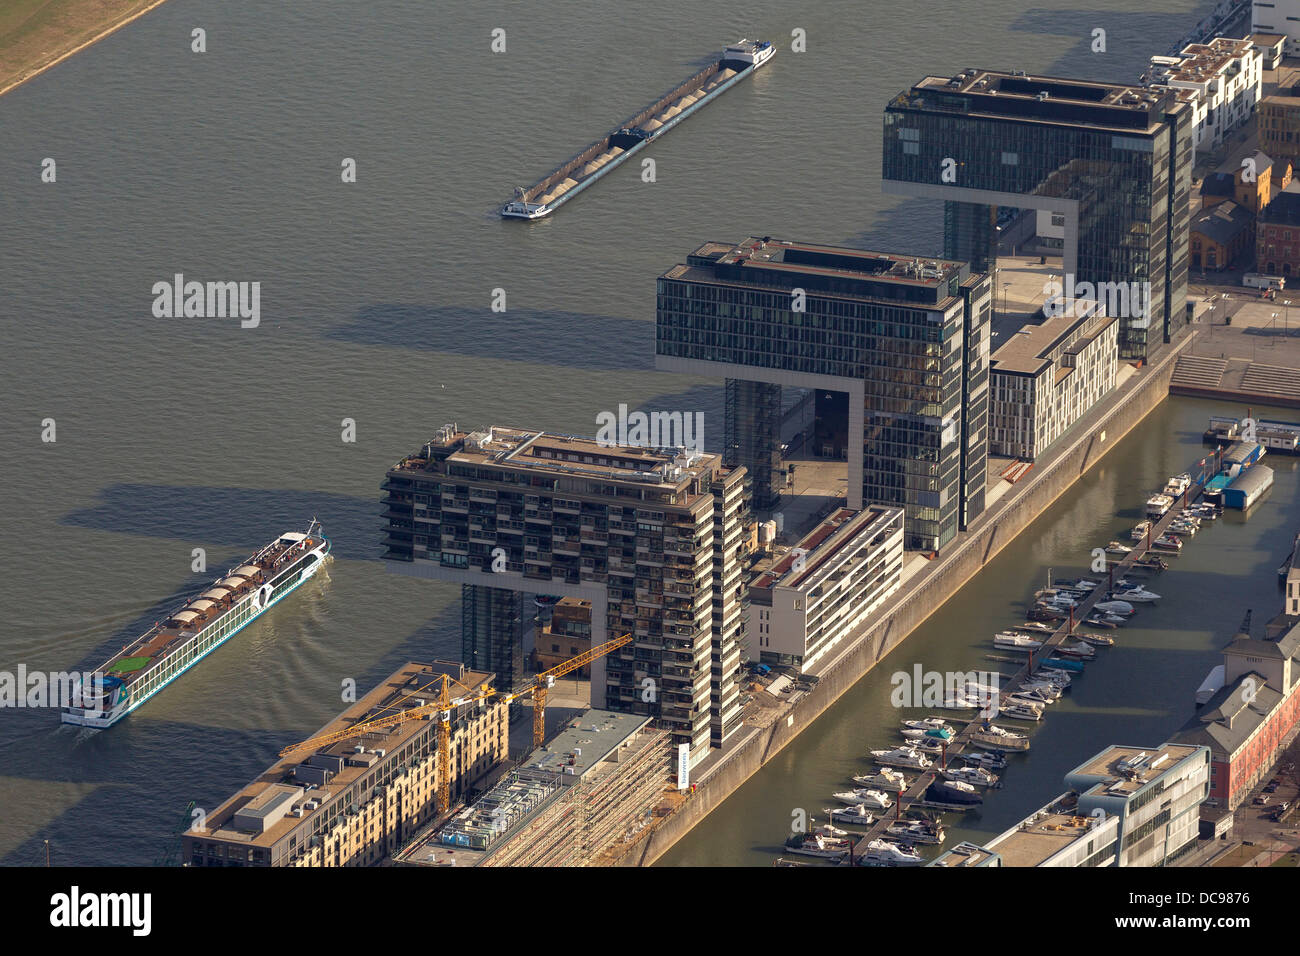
(1024, 504)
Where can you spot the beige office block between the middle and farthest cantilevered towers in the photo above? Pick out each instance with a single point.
(1047, 377)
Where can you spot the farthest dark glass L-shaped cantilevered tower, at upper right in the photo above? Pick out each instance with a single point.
(1115, 162)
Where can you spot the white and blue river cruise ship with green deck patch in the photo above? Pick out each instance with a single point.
(197, 629)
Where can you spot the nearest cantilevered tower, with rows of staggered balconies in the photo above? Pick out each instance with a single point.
(652, 538)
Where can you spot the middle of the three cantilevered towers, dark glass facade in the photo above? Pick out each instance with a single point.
(905, 339)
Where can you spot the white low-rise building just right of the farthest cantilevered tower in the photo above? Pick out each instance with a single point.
(1225, 79)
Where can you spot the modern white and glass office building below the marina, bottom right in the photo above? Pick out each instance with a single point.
(1126, 807)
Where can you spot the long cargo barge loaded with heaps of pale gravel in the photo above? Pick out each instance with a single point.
(619, 145)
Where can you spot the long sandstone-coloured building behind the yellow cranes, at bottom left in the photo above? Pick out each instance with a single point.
(356, 801)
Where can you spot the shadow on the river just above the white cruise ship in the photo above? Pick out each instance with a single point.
(239, 518)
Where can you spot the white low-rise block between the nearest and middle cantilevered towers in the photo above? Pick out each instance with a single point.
(825, 590)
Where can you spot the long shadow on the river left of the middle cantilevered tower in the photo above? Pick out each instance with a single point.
(547, 338)
